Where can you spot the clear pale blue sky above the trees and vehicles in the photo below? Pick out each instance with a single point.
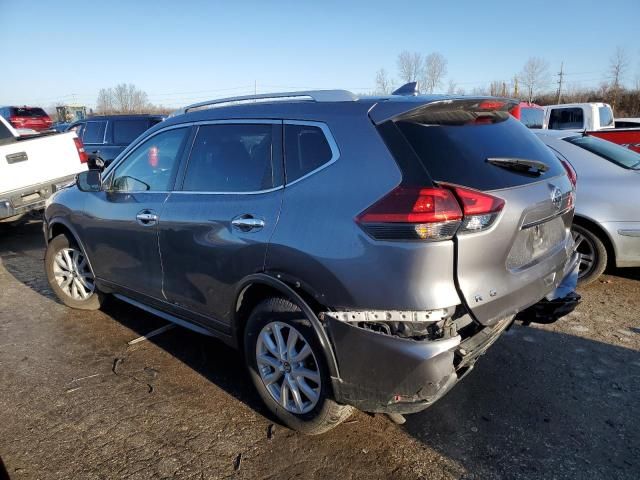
(181, 52)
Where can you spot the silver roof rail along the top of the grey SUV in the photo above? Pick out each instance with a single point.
(311, 95)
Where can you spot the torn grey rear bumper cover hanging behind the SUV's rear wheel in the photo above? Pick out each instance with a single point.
(387, 374)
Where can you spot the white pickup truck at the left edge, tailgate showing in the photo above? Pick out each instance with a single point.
(32, 168)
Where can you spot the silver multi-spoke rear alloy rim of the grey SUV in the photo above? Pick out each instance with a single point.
(288, 367)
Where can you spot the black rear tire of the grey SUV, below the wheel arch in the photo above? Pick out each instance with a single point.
(314, 418)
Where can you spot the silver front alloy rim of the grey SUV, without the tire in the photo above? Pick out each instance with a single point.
(72, 274)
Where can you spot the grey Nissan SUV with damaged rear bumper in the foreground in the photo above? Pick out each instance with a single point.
(360, 251)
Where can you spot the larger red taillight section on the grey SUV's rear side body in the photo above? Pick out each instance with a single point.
(413, 213)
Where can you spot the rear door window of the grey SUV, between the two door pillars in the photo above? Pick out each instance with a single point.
(236, 158)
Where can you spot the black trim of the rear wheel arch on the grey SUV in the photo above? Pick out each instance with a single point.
(260, 286)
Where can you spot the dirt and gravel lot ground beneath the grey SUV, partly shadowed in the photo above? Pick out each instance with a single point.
(76, 402)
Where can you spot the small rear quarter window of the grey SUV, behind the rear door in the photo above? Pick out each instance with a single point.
(306, 149)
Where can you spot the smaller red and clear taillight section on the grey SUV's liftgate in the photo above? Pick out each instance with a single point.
(480, 209)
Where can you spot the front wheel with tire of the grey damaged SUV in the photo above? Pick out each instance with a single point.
(58, 273)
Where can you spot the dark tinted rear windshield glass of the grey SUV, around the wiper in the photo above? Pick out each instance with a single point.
(458, 153)
